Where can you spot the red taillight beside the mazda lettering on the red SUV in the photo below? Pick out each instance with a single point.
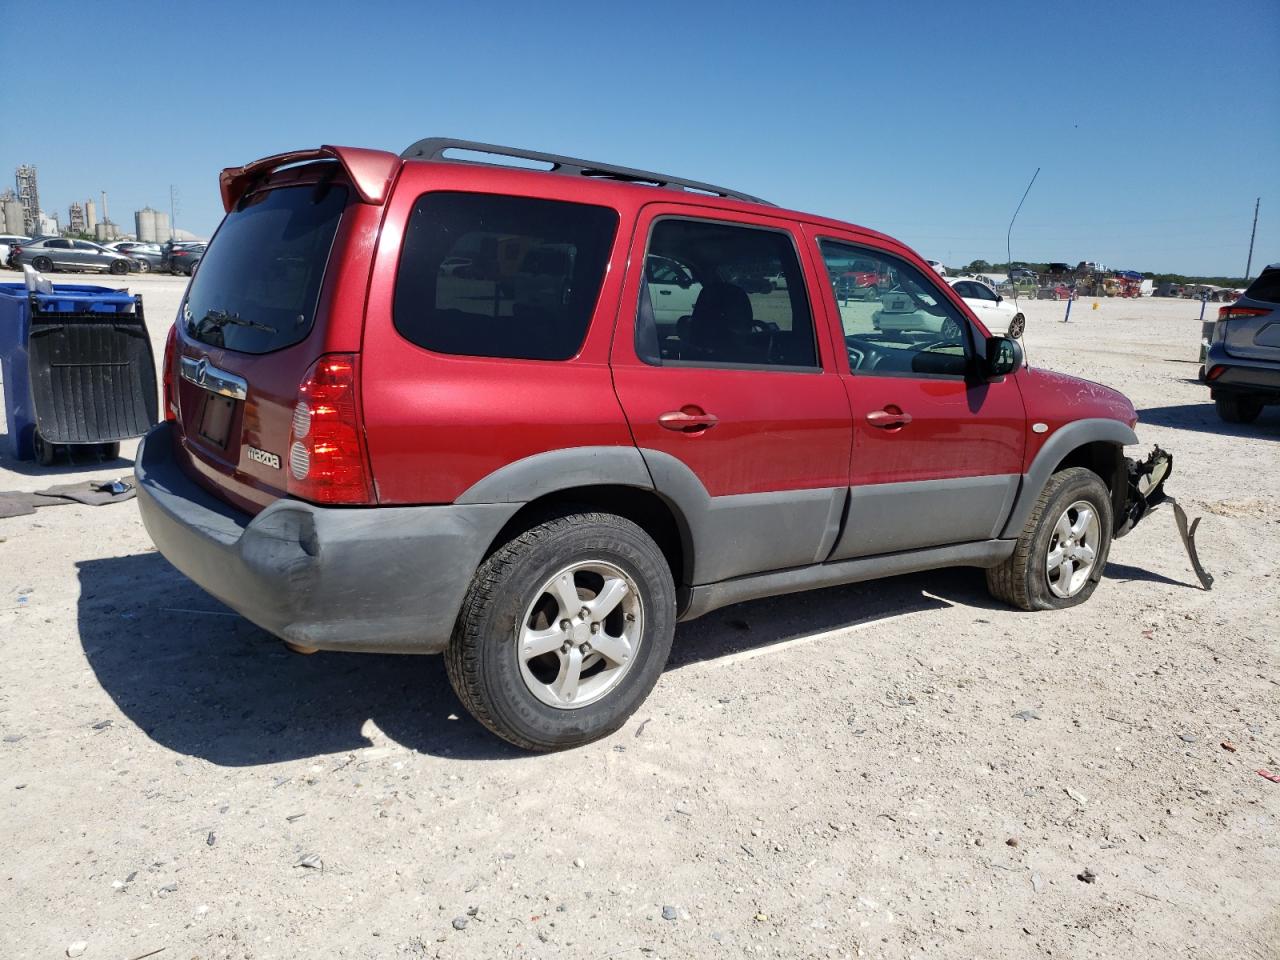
(327, 442)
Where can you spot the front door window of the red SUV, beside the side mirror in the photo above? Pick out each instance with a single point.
(907, 328)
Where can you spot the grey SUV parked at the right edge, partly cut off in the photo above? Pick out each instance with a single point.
(1242, 365)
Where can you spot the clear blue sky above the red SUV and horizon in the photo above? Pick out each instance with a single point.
(1155, 125)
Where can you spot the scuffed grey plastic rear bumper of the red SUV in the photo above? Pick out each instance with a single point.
(377, 579)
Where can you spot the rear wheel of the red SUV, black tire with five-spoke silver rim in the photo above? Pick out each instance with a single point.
(511, 595)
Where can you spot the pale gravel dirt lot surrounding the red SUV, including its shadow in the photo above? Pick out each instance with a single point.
(889, 770)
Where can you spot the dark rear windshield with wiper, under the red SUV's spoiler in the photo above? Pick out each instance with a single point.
(258, 285)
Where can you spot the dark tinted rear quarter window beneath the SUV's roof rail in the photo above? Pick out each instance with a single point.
(484, 276)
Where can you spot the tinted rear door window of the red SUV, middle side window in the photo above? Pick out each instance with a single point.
(723, 295)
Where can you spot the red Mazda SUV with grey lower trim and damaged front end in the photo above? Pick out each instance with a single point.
(420, 404)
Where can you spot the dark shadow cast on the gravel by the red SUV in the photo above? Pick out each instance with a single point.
(200, 680)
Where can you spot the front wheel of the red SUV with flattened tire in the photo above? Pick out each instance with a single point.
(1025, 580)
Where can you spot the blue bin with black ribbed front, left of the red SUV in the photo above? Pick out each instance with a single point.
(77, 368)
